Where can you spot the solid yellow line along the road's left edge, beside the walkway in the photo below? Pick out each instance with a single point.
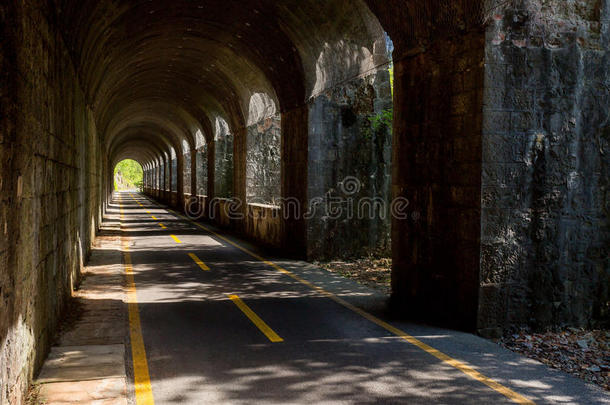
(143, 388)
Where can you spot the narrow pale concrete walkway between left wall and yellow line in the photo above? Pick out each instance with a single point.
(88, 364)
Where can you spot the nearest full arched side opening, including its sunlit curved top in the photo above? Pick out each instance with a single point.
(350, 156)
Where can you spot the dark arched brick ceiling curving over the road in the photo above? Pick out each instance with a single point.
(167, 68)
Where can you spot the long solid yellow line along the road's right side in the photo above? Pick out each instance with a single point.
(463, 367)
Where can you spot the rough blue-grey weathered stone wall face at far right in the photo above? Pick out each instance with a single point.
(545, 229)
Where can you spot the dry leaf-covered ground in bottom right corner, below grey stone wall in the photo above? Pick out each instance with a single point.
(580, 352)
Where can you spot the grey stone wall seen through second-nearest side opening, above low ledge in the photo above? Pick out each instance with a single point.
(263, 161)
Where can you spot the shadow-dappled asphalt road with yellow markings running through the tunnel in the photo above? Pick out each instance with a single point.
(246, 332)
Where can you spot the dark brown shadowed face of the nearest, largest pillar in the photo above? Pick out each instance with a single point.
(436, 240)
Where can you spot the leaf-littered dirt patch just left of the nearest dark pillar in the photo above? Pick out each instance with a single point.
(371, 271)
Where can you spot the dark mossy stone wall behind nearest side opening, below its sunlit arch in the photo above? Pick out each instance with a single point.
(349, 166)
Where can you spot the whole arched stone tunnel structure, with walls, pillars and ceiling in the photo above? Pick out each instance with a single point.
(467, 139)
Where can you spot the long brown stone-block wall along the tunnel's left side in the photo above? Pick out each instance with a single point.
(50, 188)
